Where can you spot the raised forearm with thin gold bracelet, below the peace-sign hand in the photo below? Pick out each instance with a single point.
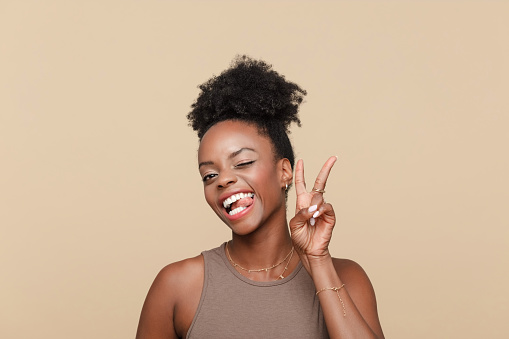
(341, 315)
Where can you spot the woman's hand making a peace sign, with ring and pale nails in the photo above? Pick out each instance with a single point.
(311, 235)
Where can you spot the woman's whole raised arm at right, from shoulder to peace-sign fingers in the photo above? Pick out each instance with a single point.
(351, 311)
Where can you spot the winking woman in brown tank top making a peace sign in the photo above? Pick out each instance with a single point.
(269, 280)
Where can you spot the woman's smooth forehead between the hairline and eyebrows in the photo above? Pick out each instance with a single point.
(229, 136)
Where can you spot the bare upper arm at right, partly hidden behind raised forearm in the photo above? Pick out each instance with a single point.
(361, 292)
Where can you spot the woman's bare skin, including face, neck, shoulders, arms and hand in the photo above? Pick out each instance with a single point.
(233, 156)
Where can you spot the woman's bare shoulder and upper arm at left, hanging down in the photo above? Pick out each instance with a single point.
(172, 300)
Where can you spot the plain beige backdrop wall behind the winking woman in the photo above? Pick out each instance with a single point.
(99, 186)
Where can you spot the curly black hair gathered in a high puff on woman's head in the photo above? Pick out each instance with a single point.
(252, 92)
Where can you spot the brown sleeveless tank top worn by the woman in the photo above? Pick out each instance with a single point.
(233, 306)
